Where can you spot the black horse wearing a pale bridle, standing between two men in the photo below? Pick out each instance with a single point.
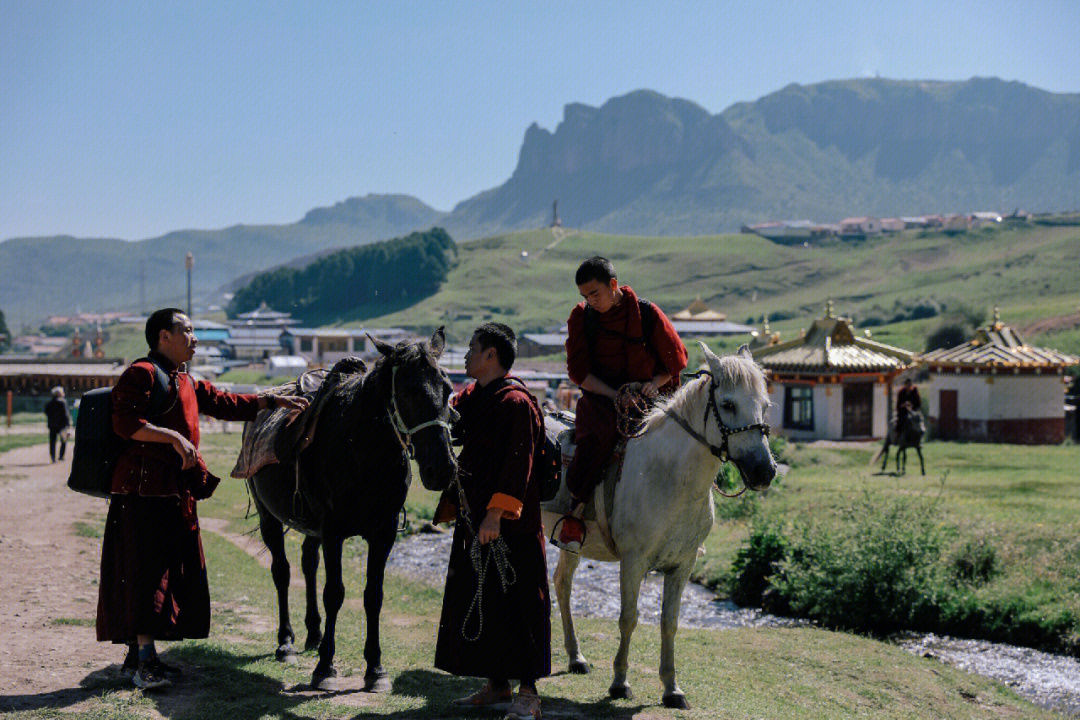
(353, 481)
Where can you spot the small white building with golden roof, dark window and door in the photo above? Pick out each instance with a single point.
(831, 384)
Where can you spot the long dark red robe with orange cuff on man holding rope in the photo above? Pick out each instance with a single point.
(501, 429)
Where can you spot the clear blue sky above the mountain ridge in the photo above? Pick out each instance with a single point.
(131, 119)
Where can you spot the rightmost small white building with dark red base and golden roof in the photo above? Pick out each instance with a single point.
(998, 389)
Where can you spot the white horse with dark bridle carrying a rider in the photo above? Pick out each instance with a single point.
(663, 509)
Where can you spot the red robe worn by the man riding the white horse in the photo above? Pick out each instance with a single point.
(616, 362)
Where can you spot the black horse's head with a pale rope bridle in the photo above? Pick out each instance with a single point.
(417, 392)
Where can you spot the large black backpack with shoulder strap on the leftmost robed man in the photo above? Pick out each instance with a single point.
(97, 446)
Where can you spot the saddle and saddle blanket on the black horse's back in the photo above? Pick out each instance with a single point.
(271, 439)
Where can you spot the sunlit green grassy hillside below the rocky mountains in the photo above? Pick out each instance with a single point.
(1030, 271)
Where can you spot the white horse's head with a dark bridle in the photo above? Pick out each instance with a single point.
(737, 415)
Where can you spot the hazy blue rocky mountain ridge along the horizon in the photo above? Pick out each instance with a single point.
(646, 165)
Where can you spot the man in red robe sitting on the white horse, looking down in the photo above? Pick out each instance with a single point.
(614, 338)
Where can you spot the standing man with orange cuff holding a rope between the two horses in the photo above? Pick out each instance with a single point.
(507, 636)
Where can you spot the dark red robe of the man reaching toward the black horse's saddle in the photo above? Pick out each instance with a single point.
(154, 573)
